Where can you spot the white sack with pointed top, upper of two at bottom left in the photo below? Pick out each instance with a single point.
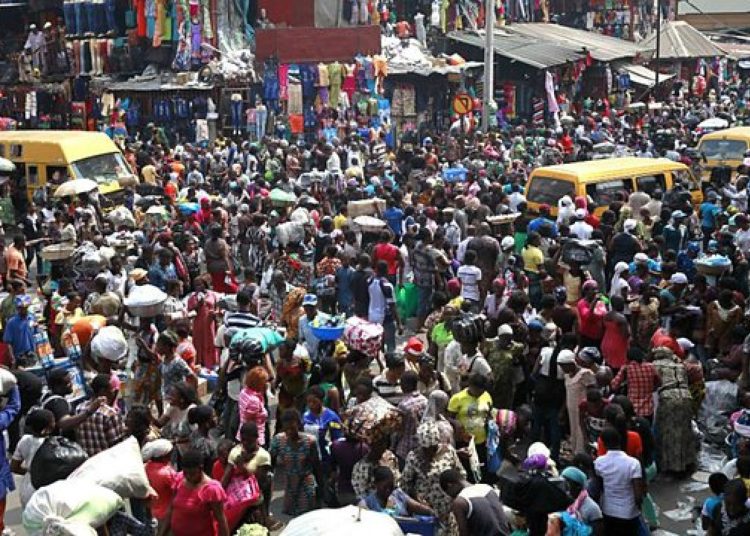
(119, 468)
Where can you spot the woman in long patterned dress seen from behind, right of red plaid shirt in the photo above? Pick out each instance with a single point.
(675, 440)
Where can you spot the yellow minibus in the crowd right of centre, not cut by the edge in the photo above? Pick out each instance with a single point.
(599, 180)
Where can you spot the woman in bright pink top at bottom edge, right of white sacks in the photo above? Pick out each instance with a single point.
(197, 508)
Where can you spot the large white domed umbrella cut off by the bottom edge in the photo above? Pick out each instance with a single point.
(347, 520)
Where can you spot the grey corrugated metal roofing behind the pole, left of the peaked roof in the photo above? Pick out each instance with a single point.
(543, 45)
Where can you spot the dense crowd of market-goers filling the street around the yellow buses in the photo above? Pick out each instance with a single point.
(534, 392)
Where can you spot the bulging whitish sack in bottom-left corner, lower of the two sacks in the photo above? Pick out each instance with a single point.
(67, 508)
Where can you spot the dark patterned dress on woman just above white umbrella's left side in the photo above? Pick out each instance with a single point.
(296, 460)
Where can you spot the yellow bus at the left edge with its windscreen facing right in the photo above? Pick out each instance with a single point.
(50, 157)
